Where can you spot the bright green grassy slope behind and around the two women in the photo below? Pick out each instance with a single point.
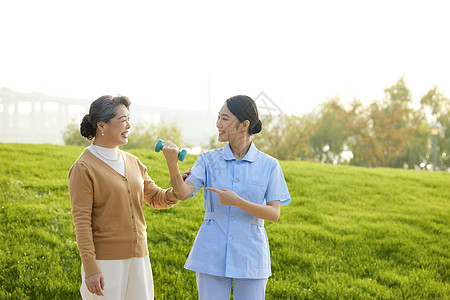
(349, 233)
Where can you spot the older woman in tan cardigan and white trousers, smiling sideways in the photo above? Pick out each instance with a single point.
(107, 189)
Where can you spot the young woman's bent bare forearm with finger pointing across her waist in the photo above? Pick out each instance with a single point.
(270, 211)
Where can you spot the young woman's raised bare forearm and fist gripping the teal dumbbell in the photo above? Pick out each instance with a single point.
(181, 188)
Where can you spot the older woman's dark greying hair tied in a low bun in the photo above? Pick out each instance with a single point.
(101, 110)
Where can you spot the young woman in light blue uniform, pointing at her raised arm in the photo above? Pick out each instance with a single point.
(243, 187)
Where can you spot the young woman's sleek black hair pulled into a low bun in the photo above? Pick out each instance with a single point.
(244, 108)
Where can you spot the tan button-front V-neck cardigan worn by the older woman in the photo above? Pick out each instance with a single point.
(107, 208)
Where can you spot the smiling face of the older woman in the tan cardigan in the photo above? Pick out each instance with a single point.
(117, 129)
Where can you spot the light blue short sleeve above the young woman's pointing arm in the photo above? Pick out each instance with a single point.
(277, 188)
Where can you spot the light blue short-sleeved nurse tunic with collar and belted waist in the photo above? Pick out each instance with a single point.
(231, 242)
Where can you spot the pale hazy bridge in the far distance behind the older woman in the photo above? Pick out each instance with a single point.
(39, 118)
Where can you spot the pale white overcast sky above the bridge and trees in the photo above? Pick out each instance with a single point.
(191, 54)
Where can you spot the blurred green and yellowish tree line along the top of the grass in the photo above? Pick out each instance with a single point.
(389, 132)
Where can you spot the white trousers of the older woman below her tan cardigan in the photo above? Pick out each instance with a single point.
(124, 279)
